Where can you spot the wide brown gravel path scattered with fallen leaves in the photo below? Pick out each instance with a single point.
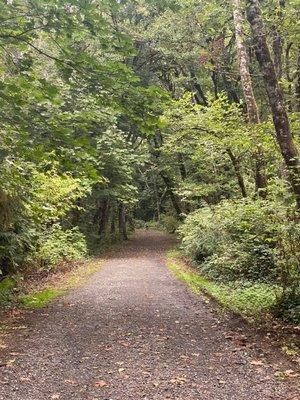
(133, 331)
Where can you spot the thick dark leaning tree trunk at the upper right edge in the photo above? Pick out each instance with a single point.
(287, 146)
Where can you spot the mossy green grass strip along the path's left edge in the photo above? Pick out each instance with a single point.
(39, 297)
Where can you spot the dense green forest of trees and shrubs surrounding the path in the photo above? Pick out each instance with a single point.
(184, 113)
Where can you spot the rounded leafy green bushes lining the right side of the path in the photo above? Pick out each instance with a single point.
(251, 251)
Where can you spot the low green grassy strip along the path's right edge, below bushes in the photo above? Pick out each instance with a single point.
(251, 301)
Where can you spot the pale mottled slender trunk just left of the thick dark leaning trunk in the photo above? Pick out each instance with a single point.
(252, 109)
